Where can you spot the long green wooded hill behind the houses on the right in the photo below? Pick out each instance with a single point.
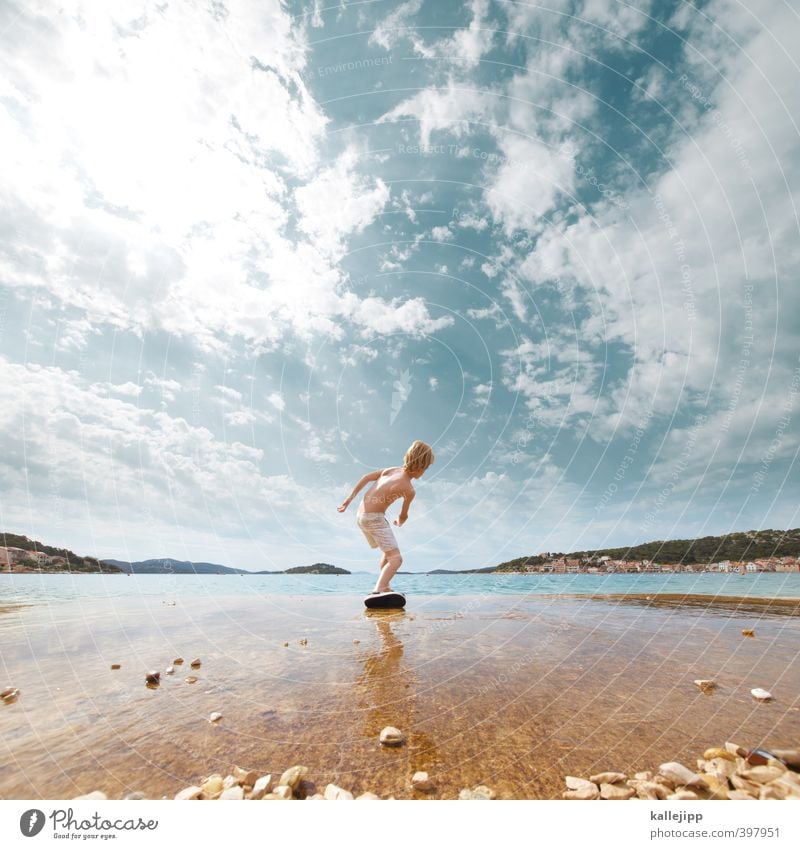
(744, 545)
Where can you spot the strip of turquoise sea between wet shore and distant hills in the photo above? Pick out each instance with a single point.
(32, 588)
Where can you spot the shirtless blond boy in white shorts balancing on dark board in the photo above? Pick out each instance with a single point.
(388, 486)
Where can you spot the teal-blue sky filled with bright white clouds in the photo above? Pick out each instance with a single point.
(252, 250)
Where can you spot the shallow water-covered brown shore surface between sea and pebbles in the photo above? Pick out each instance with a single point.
(509, 691)
